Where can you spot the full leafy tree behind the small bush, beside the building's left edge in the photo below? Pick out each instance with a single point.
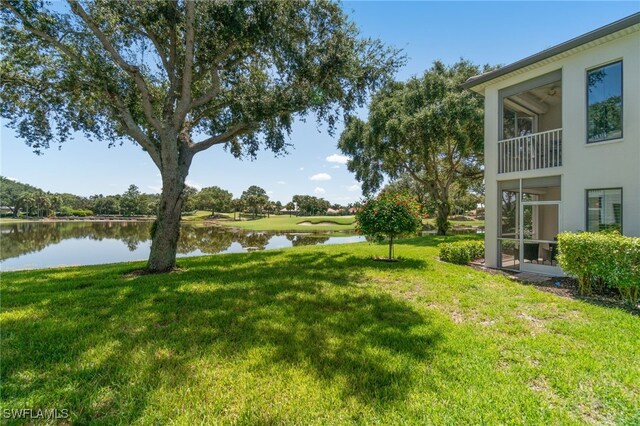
(428, 127)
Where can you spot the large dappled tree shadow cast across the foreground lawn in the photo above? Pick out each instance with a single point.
(100, 343)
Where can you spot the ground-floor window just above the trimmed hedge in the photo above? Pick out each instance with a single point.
(604, 209)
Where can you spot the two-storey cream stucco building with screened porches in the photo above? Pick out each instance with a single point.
(562, 145)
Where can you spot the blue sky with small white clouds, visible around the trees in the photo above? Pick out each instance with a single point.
(483, 32)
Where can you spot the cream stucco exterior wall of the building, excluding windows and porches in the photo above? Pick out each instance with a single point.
(611, 164)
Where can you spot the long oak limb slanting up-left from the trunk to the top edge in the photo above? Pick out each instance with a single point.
(133, 71)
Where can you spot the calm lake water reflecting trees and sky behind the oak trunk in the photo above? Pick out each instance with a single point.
(32, 245)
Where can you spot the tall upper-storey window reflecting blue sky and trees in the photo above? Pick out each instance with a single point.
(604, 103)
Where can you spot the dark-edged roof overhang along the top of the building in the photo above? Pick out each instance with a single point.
(593, 38)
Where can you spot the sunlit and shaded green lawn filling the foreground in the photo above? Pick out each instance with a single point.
(317, 335)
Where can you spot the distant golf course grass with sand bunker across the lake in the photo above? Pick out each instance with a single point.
(286, 223)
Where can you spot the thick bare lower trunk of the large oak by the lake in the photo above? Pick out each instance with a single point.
(166, 229)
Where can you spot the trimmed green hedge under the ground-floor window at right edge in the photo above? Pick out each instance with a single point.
(602, 259)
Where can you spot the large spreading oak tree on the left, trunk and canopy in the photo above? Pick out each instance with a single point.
(178, 77)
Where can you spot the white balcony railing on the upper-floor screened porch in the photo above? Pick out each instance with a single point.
(533, 151)
